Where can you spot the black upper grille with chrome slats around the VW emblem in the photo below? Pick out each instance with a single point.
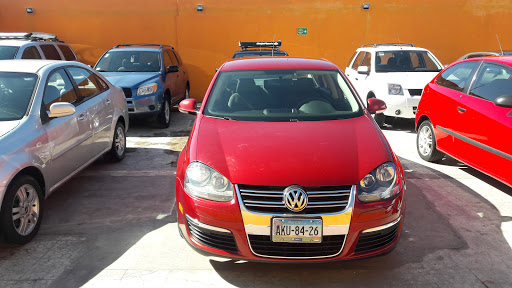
(269, 199)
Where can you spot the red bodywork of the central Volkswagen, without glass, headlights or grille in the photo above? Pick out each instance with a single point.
(309, 153)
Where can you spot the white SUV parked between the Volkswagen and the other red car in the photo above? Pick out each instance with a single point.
(395, 73)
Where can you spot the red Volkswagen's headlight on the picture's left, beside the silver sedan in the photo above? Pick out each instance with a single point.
(204, 182)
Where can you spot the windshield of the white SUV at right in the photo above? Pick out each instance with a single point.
(406, 61)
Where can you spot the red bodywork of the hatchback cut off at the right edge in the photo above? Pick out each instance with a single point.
(480, 136)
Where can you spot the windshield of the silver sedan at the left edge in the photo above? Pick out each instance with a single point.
(16, 90)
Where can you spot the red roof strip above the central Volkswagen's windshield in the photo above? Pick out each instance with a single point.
(277, 63)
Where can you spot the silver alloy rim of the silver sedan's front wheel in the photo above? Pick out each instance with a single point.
(25, 209)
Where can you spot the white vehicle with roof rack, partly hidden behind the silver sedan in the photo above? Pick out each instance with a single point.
(34, 46)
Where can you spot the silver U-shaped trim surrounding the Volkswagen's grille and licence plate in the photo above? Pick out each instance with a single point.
(344, 216)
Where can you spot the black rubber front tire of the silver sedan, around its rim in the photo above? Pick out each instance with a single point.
(6, 219)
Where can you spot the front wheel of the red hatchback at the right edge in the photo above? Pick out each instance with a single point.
(426, 143)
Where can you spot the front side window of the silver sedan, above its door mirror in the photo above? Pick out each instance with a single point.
(59, 89)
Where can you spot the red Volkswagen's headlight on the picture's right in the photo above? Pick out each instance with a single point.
(380, 184)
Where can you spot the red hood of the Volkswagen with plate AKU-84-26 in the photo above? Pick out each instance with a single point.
(314, 153)
